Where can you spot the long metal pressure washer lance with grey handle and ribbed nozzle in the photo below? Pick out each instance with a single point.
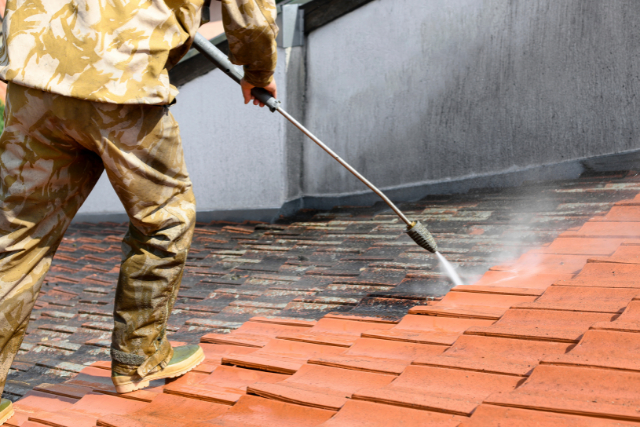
(415, 229)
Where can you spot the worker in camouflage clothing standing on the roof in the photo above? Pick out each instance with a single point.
(89, 90)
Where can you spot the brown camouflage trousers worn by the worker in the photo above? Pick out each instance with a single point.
(52, 152)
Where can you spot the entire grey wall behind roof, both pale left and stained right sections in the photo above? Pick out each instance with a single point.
(421, 96)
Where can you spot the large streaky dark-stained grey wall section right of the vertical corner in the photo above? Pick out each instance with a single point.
(420, 91)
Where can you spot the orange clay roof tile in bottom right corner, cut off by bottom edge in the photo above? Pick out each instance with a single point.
(497, 416)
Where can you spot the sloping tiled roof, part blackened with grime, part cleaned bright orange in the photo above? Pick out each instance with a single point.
(338, 319)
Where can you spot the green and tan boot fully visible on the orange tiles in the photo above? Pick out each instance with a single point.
(184, 359)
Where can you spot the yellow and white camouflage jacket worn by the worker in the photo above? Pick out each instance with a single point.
(120, 51)
